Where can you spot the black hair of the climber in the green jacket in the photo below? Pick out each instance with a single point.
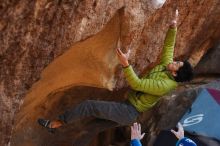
(185, 73)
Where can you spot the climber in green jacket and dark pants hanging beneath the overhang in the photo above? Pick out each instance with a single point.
(145, 94)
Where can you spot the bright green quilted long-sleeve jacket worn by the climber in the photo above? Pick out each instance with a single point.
(148, 90)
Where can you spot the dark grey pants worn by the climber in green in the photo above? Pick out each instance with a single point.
(122, 113)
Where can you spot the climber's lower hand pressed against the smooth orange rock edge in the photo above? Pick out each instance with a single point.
(123, 58)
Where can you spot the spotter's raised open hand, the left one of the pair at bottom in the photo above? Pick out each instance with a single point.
(136, 132)
